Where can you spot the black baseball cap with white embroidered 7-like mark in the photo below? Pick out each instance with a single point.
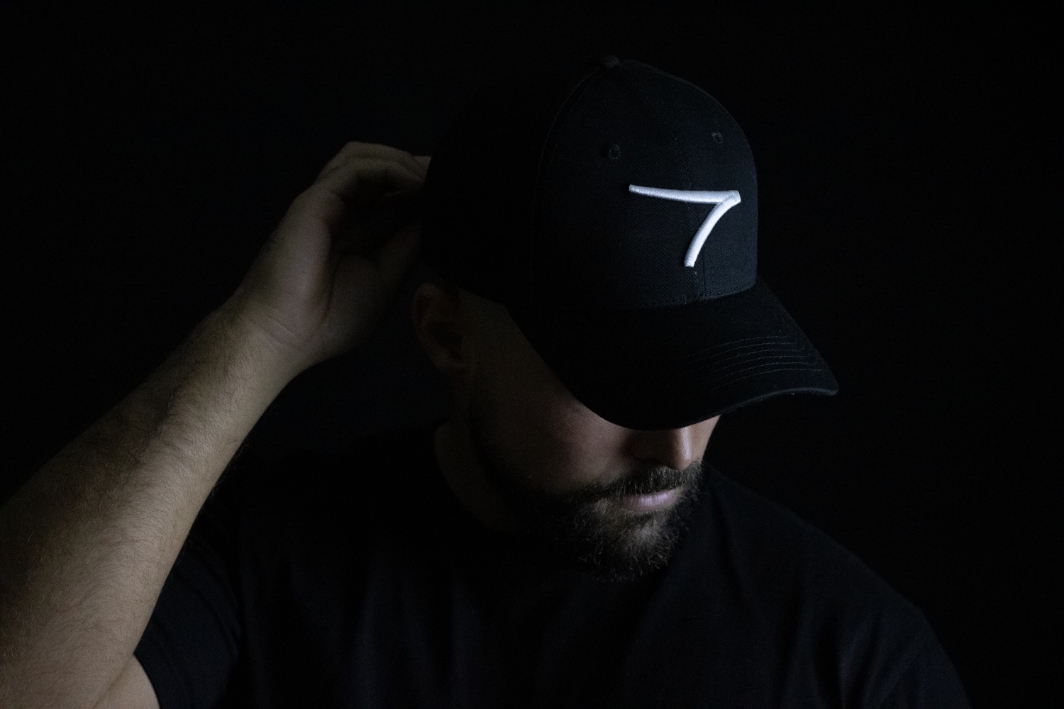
(612, 209)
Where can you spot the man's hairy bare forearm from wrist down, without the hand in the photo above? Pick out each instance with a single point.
(87, 545)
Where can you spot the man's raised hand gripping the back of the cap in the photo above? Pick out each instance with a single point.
(334, 265)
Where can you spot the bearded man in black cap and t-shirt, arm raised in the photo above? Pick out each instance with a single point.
(558, 541)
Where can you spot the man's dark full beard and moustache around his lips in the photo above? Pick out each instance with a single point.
(588, 529)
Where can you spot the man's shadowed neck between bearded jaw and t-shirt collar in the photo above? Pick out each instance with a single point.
(464, 473)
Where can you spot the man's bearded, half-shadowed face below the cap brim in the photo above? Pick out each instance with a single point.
(611, 499)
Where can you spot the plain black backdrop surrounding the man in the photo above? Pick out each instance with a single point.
(910, 186)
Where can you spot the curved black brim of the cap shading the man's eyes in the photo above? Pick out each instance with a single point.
(673, 368)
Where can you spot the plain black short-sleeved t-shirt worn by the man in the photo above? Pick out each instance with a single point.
(359, 581)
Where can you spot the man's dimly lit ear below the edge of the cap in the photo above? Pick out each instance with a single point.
(441, 328)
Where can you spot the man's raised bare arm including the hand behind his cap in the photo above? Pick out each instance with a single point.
(88, 542)
